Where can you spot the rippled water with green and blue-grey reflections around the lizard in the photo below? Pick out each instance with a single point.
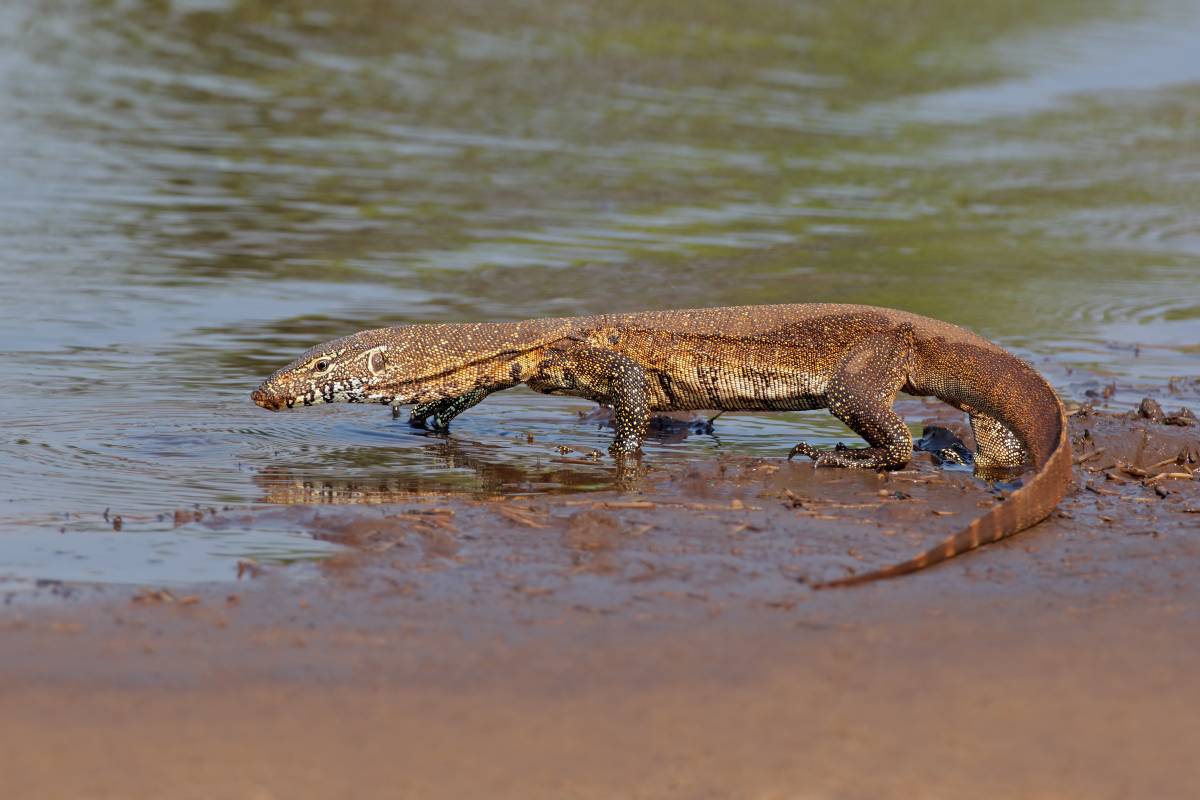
(193, 191)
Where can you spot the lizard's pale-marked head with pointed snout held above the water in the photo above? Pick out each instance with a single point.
(352, 370)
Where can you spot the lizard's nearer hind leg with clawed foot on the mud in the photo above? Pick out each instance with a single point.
(861, 395)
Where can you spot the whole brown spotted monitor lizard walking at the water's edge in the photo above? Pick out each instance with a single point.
(853, 360)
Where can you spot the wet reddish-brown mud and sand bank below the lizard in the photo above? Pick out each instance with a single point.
(651, 646)
